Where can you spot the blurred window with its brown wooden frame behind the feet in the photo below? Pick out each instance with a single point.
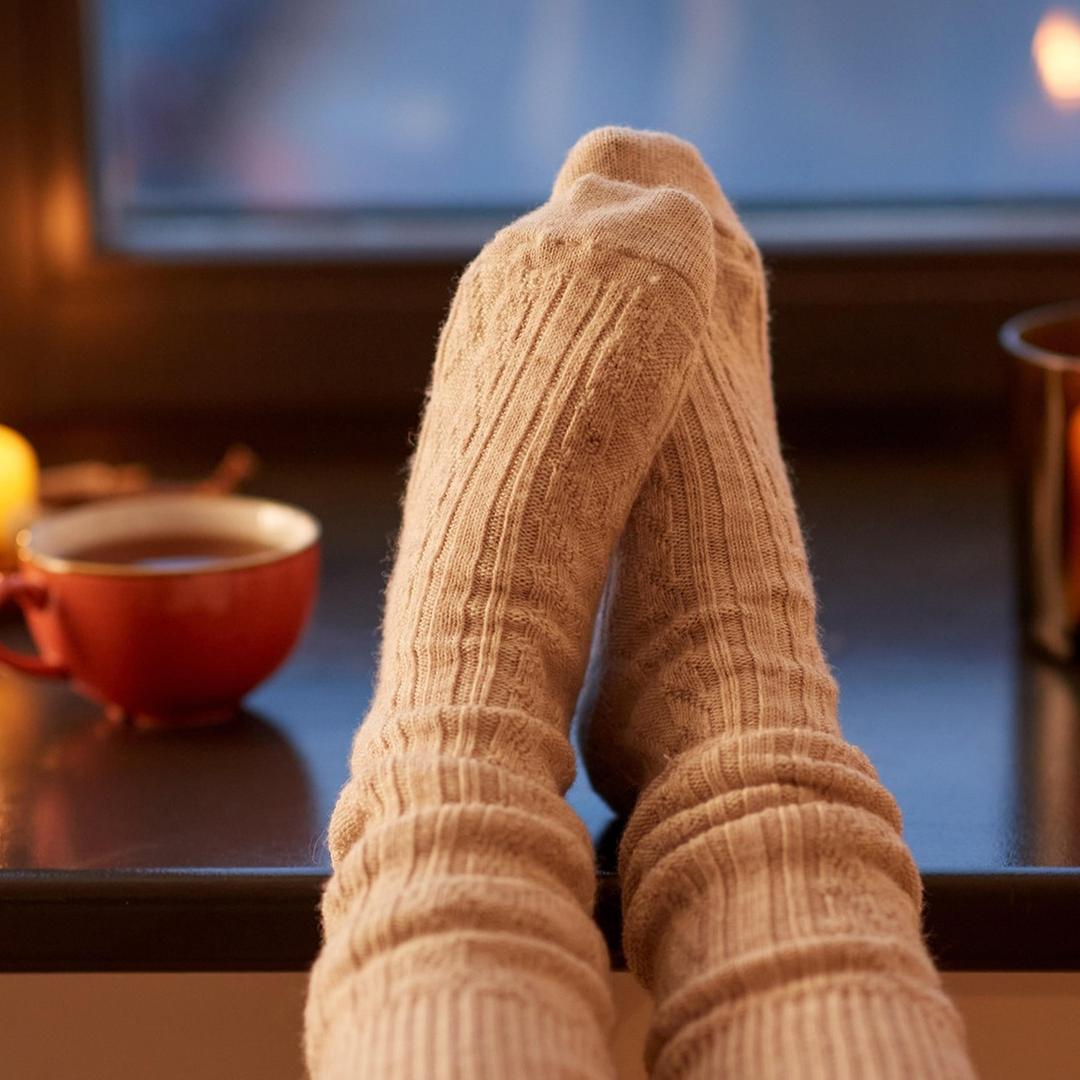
(259, 208)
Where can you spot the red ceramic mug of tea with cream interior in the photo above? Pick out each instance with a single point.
(166, 609)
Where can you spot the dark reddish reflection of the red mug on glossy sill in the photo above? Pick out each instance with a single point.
(113, 796)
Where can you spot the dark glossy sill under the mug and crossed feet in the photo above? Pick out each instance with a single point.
(206, 850)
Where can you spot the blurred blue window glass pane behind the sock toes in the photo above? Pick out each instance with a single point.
(328, 114)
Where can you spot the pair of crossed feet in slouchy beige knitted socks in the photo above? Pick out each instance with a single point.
(601, 414)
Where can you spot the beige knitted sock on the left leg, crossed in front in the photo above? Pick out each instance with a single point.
(460, 933)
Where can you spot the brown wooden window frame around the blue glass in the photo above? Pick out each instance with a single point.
(87, 332)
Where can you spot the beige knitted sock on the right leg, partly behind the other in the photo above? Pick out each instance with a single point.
(769, 901)
